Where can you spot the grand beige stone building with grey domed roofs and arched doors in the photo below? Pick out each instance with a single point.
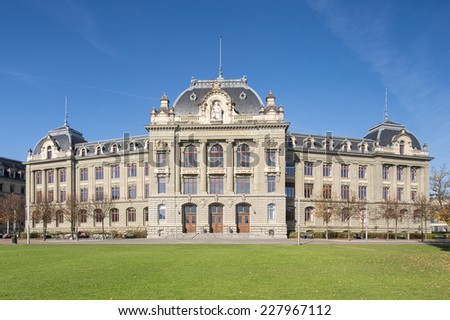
(219, 161)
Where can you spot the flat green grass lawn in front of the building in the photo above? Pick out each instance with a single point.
(224, 272)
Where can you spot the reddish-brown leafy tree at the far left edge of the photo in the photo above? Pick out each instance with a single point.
(12, 209)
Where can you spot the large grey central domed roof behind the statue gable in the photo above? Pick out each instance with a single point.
(246, 100)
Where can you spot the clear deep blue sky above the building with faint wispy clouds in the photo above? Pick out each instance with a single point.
(327, 62)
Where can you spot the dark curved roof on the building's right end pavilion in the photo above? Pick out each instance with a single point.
(385, 131)
